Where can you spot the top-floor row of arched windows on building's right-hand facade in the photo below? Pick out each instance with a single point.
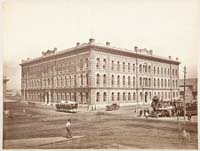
(145, 68)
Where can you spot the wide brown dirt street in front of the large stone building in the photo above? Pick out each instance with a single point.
(102, 130)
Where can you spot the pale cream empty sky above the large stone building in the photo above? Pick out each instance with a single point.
(168, 27)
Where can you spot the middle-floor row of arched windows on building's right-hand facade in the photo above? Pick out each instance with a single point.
(143, 82)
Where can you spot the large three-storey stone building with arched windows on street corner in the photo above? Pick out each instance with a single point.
(93, 73)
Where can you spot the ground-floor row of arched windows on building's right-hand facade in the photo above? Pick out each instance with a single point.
(132, 96)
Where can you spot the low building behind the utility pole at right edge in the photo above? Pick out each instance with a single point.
(191, 89)
